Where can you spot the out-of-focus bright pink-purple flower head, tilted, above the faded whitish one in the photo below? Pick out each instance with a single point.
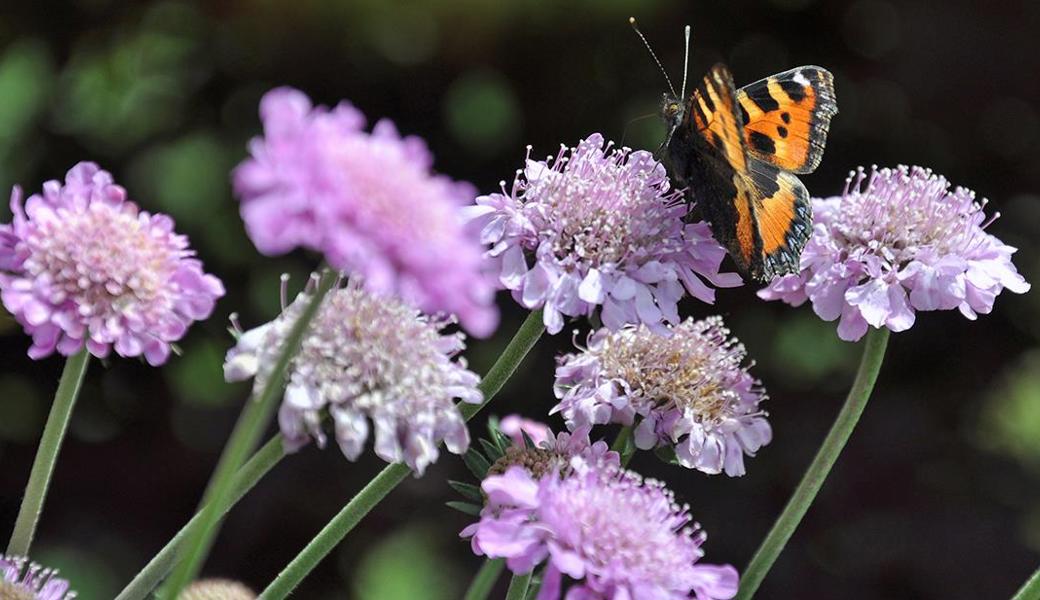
(369, 202)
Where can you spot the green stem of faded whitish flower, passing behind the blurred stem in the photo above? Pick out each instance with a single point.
(161, 565)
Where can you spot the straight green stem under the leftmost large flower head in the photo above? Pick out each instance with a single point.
(47, 454)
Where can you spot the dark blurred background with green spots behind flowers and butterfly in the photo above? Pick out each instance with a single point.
(939, 493)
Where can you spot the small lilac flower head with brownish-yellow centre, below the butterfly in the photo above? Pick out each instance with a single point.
(689, 389)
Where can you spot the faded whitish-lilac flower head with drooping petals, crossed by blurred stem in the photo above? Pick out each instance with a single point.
(366, 357)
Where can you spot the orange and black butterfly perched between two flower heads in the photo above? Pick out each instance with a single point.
(738, 152)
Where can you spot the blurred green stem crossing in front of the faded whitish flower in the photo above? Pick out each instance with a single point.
(251, 426)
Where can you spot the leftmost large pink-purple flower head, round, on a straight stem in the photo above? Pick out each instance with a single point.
(81, 265)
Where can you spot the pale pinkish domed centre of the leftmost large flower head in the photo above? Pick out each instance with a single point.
(107, 259)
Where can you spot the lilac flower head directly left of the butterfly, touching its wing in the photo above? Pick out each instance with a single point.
(601, 227)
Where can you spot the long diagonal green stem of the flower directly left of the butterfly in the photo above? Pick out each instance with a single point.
(394, 475)
